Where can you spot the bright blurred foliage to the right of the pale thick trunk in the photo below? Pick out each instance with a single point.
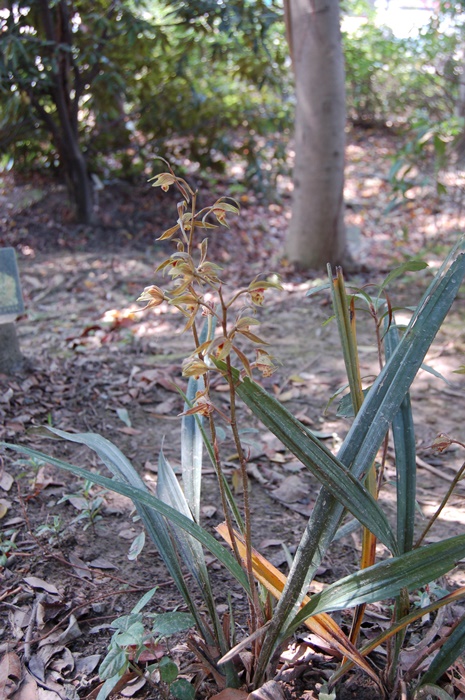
(412, 84)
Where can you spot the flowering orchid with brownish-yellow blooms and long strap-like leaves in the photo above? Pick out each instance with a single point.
(226, 347)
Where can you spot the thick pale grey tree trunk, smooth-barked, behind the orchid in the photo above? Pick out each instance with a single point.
(317, 232)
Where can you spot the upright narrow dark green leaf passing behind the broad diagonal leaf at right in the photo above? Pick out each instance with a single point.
(403, 432)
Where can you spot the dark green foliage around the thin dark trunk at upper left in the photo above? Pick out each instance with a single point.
(88, 53)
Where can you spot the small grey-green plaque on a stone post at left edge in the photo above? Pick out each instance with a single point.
(11, 306)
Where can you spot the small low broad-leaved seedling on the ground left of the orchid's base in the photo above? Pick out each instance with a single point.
(134, 648)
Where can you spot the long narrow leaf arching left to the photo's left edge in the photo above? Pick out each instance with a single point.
(145, 498)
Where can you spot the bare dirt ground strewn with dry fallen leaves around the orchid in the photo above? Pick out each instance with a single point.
(95, 363)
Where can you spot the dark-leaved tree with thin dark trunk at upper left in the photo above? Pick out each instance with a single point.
(56, 57)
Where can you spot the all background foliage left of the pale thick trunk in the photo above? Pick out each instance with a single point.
(137, 78)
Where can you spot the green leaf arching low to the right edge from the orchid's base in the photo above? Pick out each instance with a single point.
(386, 578)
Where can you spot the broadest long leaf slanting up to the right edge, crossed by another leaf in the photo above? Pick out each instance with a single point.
(363, 441)
